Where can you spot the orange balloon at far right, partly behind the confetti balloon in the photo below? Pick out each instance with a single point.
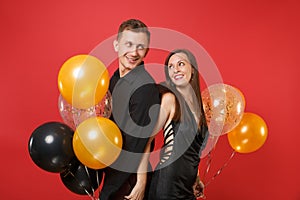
(249, 135)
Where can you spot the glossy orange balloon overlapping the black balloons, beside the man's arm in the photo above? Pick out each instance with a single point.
(97, 142)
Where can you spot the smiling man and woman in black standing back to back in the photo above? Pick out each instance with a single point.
(135, 110)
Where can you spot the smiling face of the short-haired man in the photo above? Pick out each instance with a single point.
(132, 47)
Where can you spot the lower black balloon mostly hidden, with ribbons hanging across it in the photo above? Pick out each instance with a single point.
(81, 179)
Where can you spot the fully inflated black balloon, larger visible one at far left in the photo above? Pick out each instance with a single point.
(50, 146)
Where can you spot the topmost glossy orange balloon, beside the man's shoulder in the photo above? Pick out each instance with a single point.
(83, 81)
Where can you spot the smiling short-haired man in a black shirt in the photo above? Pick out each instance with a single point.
(134, 97)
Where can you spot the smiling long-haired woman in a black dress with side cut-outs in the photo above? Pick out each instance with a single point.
(185, 130)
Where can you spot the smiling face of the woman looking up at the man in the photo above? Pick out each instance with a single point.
(180, 69)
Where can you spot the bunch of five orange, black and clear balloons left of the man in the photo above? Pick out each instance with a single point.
(87, 141)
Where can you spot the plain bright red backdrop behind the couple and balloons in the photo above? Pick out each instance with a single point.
(255, 45)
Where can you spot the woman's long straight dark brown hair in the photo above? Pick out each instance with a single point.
(195, 82)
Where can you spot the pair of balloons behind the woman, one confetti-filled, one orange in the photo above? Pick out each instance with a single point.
(224, 107)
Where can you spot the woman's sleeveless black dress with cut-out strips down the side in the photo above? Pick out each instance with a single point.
(176, 172)
